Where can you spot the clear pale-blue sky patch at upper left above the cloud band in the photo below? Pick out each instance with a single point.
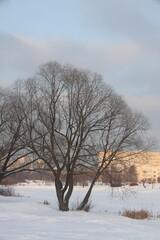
(39, 19)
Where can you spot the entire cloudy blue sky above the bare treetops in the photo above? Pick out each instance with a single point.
(119, 39)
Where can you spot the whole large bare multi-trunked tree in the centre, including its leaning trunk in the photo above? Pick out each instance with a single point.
(71, 116)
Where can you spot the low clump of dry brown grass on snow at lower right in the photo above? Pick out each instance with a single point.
(134, 214)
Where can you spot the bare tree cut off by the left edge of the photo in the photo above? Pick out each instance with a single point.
(14, 155)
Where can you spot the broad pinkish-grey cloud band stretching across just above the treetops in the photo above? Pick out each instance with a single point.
(129, 67)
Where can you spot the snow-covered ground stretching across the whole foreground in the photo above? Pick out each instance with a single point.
(27, 218)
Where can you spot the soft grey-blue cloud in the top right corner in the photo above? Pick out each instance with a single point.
(126, 18)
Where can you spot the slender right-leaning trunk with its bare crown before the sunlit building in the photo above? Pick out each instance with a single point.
(122, 139)
